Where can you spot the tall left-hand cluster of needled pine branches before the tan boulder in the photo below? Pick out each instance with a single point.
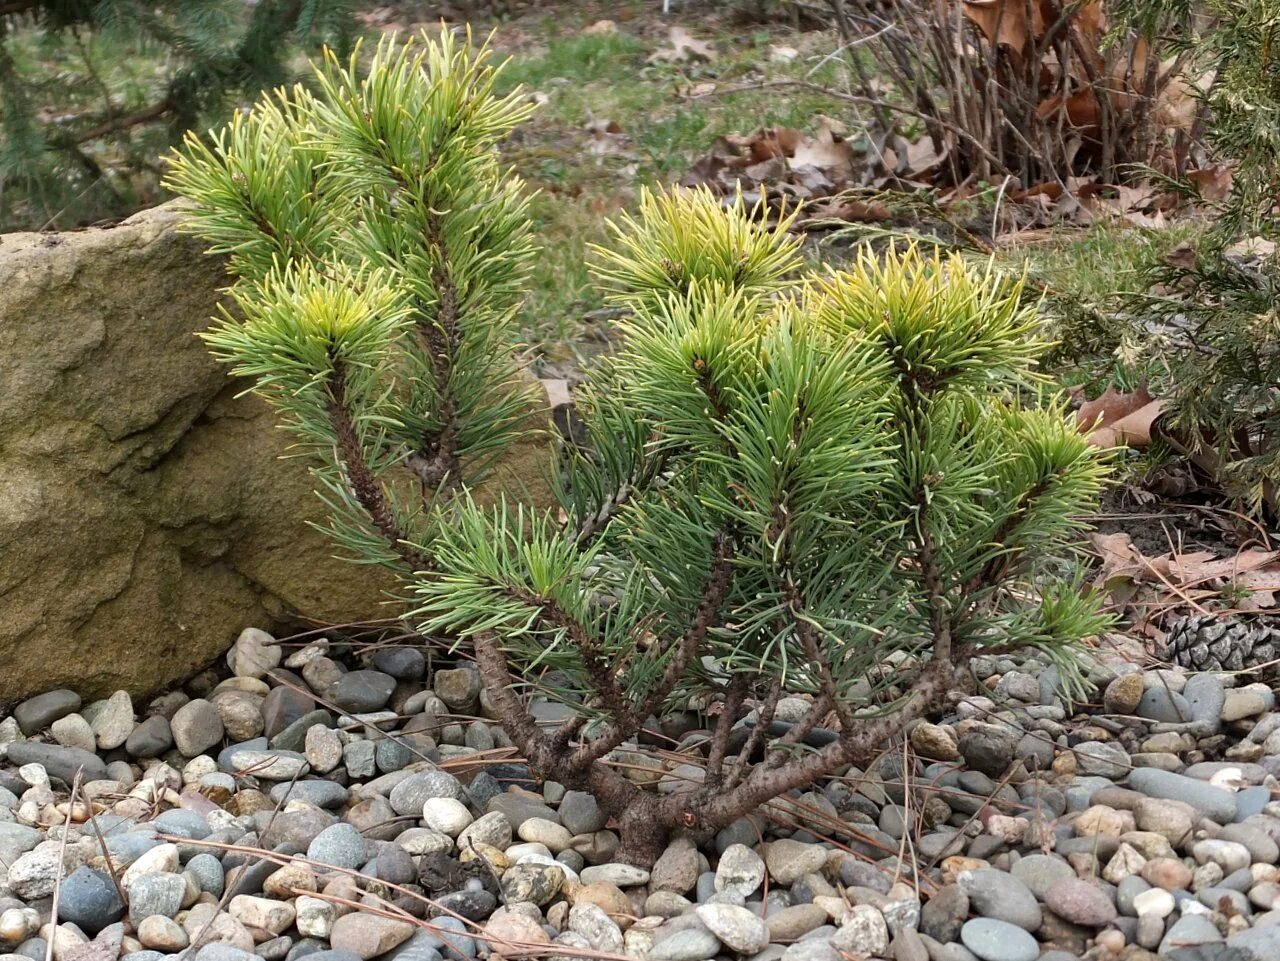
(381, 254)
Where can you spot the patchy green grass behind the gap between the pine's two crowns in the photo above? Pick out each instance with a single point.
(600, 79)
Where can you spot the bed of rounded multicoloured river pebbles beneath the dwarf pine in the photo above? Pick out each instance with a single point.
(345, 803)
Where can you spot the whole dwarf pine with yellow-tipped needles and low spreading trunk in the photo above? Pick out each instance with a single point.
(842, 486)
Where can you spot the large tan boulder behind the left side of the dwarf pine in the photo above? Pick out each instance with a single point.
(145, 515)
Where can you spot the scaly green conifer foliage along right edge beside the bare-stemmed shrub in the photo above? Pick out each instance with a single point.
(1209, 335)
